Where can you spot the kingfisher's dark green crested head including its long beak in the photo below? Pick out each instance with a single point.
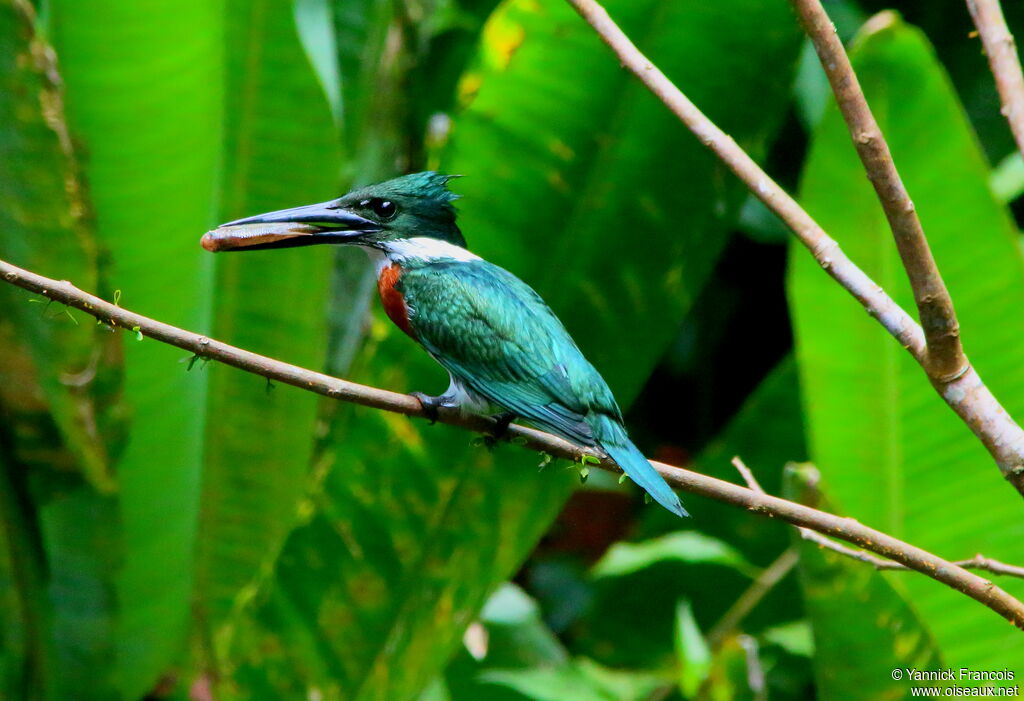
(412, 206)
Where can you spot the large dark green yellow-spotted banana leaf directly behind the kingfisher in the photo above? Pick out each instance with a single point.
(411, 530)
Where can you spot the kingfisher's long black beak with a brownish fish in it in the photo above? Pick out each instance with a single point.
(310, 226)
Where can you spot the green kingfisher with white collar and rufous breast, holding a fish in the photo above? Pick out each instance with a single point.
(506, 353)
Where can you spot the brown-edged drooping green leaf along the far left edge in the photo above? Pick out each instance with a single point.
(44, 229)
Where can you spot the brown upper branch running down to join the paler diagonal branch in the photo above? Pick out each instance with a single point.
(945, 360)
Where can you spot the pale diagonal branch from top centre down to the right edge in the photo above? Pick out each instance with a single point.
(966, 393)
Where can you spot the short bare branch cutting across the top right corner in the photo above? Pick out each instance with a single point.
(1002, 52)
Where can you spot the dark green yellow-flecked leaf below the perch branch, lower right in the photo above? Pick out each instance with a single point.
(864, 627)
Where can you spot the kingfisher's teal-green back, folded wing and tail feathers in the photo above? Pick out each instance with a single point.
(490, 330)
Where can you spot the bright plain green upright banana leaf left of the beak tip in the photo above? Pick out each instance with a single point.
(144, 83)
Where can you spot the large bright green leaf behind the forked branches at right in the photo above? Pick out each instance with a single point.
(893, 454)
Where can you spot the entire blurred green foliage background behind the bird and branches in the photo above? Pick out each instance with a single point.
(173, 530)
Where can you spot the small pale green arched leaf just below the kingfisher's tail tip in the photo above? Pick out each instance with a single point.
(684, 547)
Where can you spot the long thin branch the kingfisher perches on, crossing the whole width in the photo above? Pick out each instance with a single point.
(845, 530)
